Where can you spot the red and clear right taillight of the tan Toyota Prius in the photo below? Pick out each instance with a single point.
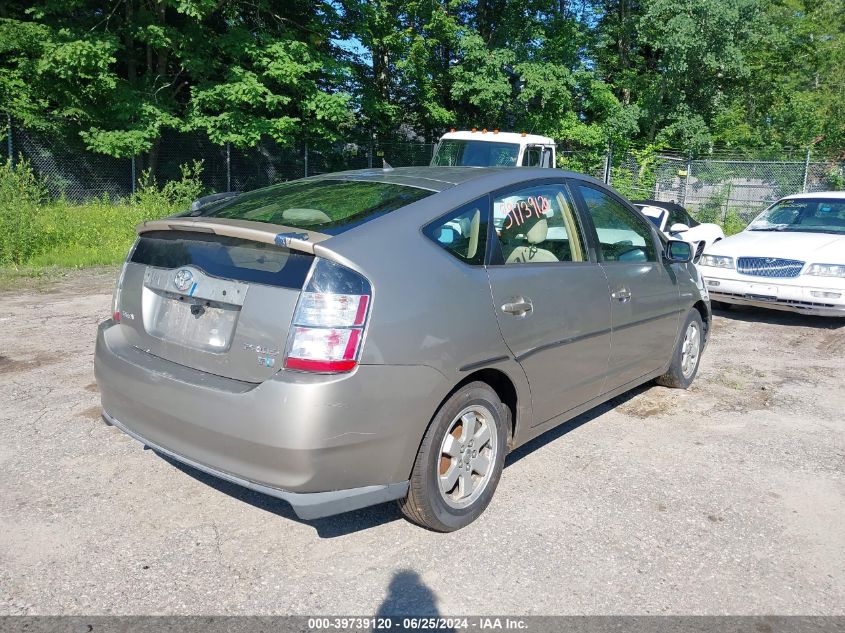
(330, 320)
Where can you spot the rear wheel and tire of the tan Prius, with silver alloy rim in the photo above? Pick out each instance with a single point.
(432, 501)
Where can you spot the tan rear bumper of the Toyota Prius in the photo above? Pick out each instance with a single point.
(326, 444)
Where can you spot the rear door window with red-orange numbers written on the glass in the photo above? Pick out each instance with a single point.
(538, 224)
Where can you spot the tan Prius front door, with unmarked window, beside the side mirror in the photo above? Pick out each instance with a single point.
(644, 291)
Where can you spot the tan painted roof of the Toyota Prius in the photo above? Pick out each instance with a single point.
(440, 179)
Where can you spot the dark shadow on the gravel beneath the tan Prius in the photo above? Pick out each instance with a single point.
(365, 518)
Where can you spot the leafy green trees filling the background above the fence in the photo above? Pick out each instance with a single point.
(751, 75)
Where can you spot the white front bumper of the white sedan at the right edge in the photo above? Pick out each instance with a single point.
(777, 295)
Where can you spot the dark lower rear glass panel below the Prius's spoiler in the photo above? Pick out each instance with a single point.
(226, 257)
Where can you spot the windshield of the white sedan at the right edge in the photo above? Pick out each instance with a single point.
(816, 215)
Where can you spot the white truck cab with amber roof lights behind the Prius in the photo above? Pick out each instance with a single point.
(485, 148)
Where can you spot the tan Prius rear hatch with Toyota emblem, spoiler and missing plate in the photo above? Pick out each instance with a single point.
(215, 295)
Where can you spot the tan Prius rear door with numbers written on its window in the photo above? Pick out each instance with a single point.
(550, 296)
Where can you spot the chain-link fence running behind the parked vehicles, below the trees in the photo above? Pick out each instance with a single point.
(713, 189)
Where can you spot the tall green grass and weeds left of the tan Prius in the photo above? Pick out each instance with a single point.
(37, 233)
